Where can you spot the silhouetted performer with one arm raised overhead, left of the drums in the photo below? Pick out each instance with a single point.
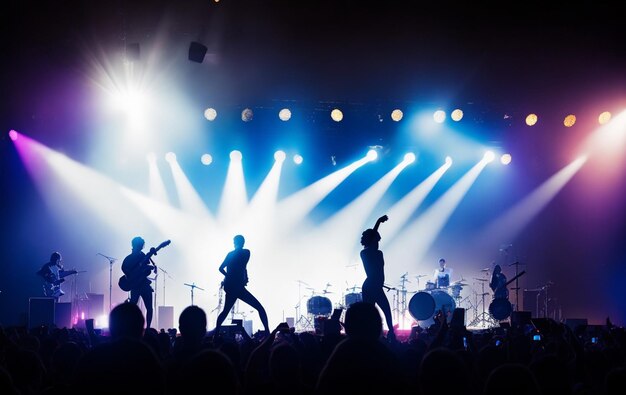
(373, 263)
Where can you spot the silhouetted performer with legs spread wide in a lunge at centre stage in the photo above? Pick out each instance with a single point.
(235, 280)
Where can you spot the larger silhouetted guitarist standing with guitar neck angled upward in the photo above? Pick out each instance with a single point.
(132, 266)
